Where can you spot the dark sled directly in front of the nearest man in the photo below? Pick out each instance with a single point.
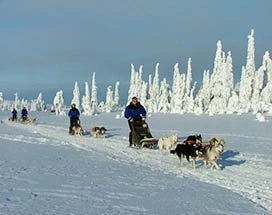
(140, 135)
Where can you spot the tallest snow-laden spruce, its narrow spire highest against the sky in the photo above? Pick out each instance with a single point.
(247, 77)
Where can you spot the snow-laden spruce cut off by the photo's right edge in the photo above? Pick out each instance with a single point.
(266, 93)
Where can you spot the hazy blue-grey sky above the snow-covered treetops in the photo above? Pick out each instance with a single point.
(48, 45)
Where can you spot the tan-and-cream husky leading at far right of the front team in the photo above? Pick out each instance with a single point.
(212, 152)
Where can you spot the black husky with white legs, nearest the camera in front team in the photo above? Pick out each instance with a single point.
(187, 150)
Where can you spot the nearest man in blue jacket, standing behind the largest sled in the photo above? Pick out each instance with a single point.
(134, 112)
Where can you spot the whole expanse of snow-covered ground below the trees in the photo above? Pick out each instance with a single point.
(43, 170)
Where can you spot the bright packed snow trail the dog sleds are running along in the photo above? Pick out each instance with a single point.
(236, 165)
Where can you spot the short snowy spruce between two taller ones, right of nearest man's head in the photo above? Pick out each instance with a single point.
(163, 102)
